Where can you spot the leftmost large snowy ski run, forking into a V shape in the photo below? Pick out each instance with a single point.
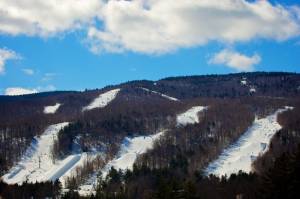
(37, 164)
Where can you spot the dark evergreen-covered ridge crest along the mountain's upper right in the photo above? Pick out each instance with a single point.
(229, 86)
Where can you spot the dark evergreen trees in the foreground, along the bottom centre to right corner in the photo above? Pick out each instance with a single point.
(280, 181)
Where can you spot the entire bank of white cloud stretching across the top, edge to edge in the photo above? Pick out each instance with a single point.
(151, 26)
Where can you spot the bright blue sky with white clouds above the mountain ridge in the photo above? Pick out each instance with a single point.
(91, 51)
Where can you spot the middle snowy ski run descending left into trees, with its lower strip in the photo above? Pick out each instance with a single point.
(130, 149)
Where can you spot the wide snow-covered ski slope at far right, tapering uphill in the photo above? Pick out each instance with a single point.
(253, 142)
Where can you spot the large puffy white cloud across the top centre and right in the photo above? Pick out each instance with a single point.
(161, 26)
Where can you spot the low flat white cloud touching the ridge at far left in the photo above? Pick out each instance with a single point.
(25, 91)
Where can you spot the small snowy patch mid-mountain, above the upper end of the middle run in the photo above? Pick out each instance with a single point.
(190, 116)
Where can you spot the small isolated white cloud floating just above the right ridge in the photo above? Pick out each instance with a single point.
(235, 60)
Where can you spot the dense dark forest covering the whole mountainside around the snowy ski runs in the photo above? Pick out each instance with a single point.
(174, 167)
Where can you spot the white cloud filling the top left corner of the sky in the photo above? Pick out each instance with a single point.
(44, 18)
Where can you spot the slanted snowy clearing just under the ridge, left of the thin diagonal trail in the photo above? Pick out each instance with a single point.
(102, 100)
